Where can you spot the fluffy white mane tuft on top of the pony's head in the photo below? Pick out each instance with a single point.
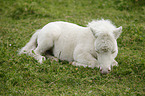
(100, 26)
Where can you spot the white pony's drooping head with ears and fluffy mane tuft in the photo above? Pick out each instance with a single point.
(106, 35)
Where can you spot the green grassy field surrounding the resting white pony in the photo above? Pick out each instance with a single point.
(22, 75)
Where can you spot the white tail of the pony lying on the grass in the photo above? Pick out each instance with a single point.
(31, 45)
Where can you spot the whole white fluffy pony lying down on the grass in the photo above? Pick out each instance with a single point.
(92, 46)
